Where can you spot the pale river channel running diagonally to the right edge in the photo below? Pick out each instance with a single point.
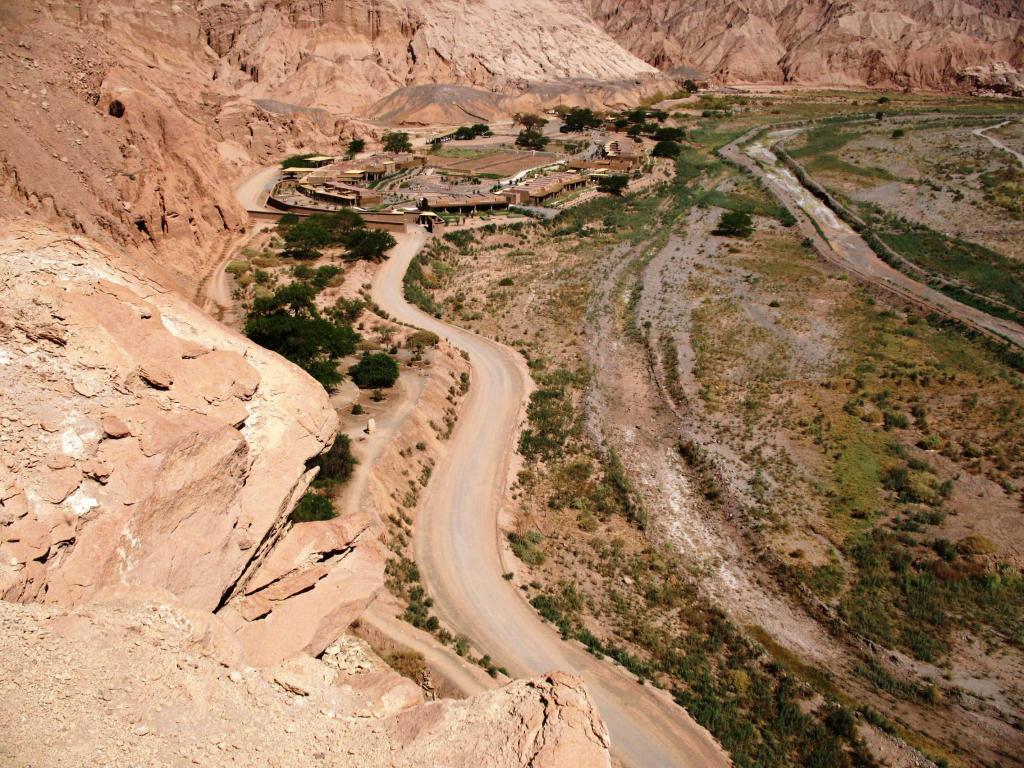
(848, 248)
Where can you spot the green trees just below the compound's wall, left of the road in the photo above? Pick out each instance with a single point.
(305, 239)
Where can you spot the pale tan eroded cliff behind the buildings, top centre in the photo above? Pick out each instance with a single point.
(345, 55)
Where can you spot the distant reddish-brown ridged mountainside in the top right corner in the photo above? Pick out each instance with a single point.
(892, 44)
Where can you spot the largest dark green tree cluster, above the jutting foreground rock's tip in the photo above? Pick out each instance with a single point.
(289, 323)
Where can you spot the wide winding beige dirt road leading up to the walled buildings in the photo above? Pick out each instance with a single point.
(457, 548)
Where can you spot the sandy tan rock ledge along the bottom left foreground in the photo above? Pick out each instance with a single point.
(124, 684)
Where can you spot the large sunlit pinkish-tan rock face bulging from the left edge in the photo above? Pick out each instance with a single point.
(116, 472)
